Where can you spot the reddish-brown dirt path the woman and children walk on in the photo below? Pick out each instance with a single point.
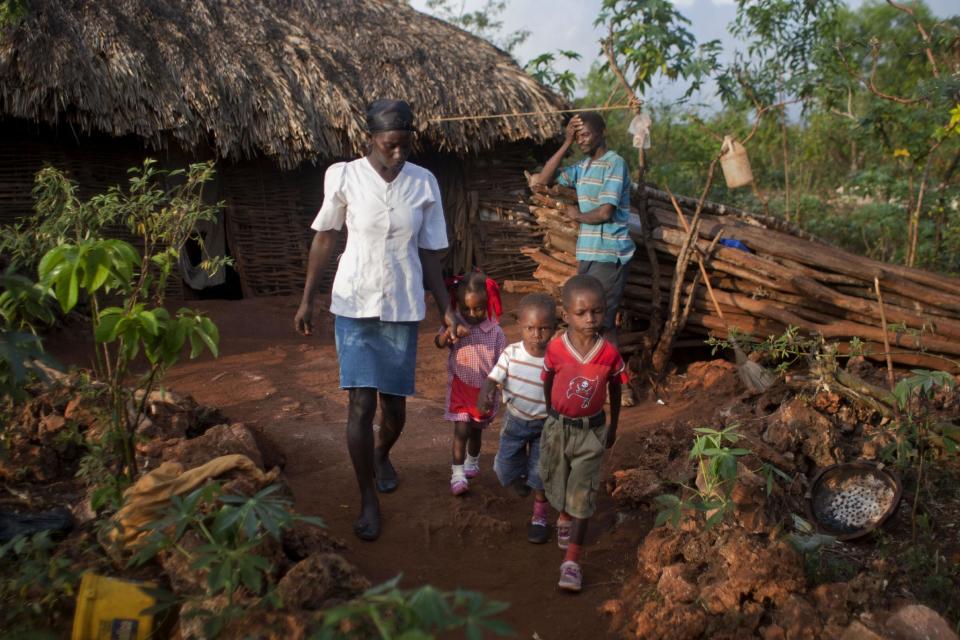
(285, 386)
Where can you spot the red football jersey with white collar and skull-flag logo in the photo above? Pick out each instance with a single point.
(580, 383)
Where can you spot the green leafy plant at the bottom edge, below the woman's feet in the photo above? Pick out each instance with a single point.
(386, 612)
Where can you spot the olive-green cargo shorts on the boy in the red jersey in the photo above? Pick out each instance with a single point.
(570, 458)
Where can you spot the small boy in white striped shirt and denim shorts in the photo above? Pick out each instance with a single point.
(518, 373)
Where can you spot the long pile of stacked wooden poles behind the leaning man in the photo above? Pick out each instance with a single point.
(774, 277)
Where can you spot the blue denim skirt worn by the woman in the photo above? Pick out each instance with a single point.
(376, 354)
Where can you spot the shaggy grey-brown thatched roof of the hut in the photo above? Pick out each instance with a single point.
(248, 77)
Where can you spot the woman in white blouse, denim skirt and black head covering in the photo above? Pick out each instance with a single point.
(394, 215)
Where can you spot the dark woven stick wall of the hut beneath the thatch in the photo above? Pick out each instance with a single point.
(268, 211)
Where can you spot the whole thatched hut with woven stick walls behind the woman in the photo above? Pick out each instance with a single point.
(274, 91)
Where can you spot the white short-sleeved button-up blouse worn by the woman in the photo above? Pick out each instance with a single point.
(379, 274)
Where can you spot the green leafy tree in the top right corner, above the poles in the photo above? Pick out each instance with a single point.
(891, 76)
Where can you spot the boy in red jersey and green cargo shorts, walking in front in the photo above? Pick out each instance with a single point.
(580, 369)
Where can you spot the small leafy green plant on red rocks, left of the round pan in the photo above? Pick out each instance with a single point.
(717, 474)
